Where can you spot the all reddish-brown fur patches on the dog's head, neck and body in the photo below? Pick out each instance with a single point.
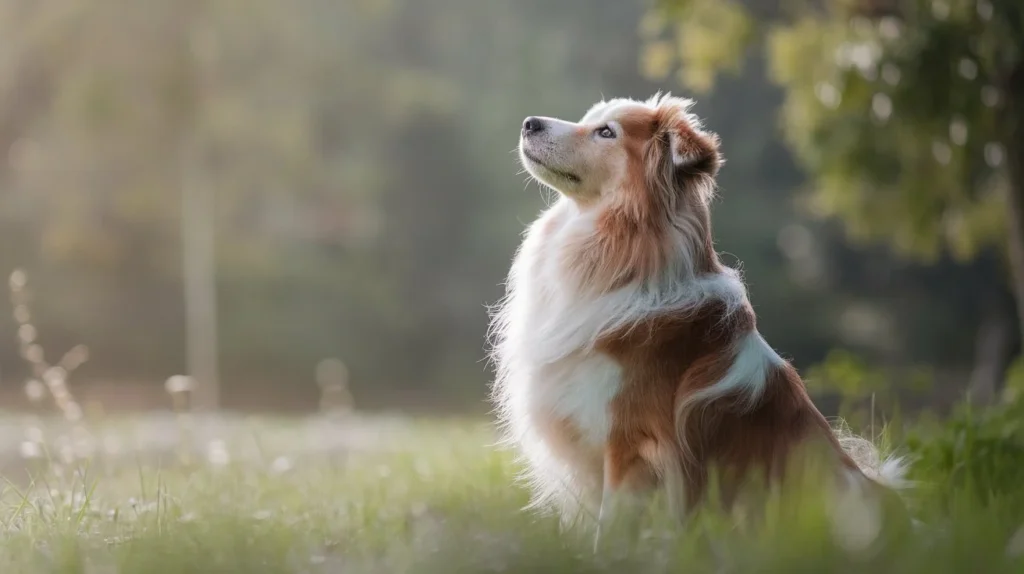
(667, 359)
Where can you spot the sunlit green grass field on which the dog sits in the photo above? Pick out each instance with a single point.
(161, 495)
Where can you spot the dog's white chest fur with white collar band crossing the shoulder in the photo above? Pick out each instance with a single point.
(549, 324)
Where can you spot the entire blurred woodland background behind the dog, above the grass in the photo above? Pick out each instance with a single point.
(275, 196)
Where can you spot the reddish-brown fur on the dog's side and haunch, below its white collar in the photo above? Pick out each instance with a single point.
(667, 360)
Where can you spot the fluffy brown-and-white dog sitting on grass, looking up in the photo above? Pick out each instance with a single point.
(628, 358)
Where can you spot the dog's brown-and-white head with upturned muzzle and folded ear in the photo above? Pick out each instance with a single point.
(622, 150)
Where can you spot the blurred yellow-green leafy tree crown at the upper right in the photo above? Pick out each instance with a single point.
(909, 115)
